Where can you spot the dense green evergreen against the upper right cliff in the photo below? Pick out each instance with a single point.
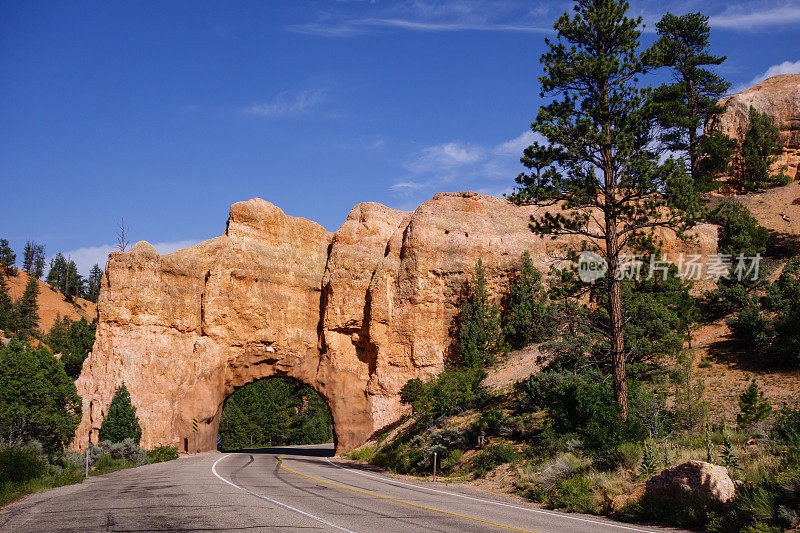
(759, 151)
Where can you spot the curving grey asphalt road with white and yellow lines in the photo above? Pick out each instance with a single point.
(279, 489)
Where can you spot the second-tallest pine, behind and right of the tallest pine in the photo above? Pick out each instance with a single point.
(683, 107)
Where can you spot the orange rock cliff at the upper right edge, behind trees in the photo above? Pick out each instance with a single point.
(779, 97)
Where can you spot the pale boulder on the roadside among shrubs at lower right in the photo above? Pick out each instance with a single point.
(696, 481)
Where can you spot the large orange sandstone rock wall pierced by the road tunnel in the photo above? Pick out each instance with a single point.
(354, 314)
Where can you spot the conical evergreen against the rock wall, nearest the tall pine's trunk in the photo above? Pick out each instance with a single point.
(528, 317)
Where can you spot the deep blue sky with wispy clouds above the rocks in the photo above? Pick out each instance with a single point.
(166, 113)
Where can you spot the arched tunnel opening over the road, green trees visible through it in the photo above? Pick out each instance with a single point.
(274, 411)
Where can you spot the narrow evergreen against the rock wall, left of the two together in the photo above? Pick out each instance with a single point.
(478, 323)
